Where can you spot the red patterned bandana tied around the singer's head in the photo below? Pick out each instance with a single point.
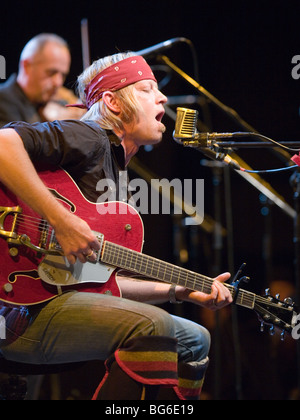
(117, 76)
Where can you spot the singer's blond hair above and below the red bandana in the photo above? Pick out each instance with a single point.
(99, 112)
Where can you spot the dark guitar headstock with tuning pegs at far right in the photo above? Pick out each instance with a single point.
(277, 314)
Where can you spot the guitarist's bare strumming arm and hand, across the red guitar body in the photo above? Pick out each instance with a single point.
(18, 173)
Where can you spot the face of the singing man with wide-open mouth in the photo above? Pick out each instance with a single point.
(148, 128)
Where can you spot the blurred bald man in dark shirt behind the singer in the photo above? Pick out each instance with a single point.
(43, 67)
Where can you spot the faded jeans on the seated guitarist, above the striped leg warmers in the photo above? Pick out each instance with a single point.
(86, 326)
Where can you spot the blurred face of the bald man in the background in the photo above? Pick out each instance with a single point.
(47, 72)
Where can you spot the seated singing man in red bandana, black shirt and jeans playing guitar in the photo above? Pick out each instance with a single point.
(149, 354)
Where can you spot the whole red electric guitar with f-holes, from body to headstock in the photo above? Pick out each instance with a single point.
(33, 269)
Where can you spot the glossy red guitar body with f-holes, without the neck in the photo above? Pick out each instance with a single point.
(20, 281)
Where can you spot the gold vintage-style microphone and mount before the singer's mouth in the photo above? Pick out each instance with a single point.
(186, 133)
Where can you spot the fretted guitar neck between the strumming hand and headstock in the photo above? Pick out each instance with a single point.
(155, 269)
